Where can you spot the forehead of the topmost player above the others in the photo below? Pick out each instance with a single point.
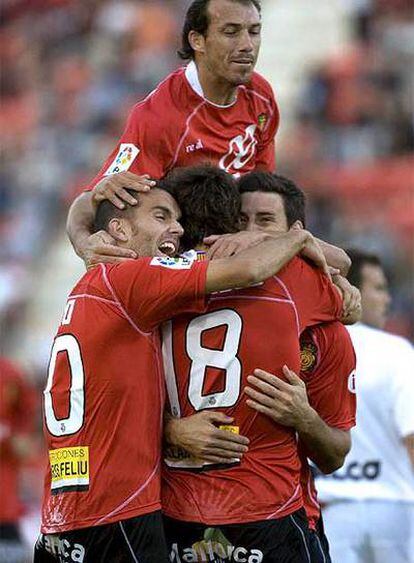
(227, 12)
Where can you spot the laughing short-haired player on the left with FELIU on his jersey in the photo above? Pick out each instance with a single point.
(104, 397)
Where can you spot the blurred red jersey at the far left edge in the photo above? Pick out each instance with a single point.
(17, 416)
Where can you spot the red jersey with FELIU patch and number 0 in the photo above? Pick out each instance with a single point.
(104, 397)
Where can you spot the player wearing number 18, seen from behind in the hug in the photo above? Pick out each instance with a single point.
(252, 506)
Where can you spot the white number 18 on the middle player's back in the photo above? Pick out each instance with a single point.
(201, 358)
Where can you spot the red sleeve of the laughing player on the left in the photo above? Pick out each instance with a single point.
(150, 291)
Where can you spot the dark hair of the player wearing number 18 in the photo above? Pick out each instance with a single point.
(209, 200)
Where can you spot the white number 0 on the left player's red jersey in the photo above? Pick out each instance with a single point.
(67, 344)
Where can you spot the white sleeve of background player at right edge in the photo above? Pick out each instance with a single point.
(403, 388)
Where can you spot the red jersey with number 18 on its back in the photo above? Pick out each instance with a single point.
(207, 360)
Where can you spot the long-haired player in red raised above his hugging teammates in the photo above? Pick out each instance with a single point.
(216, 109)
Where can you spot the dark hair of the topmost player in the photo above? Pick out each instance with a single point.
(197, 19)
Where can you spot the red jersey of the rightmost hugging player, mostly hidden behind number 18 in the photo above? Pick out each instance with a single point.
(328, 369)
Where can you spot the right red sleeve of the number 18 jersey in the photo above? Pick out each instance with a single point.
(316, 298)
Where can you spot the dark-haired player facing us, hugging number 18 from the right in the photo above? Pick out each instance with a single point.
(324, 396)
